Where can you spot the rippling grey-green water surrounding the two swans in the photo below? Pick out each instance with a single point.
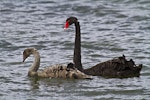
(109, 29)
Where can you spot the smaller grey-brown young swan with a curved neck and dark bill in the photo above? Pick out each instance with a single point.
(55, 71)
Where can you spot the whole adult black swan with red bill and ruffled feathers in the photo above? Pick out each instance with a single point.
(118, 67)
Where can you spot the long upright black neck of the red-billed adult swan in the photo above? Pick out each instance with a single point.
(77, 48)
